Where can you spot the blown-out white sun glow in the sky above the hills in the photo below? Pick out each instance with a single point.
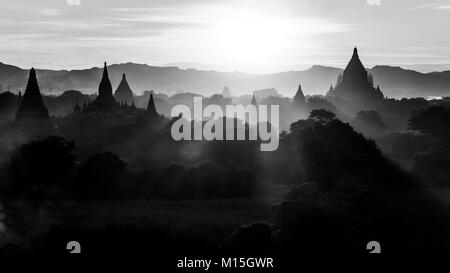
(260, 41)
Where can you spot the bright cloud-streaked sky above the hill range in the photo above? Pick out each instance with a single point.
(245, 35)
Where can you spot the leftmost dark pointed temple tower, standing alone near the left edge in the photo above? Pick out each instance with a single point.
(32, 106)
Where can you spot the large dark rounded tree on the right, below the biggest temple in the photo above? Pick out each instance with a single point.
(330, 150)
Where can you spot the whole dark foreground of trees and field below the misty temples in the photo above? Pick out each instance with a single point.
(340, 190)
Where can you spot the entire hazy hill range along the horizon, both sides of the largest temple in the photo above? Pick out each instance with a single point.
(394, 81)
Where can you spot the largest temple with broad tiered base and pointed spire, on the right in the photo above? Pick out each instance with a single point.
(355, 85)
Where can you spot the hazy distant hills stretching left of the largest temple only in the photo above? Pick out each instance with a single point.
(170, 79)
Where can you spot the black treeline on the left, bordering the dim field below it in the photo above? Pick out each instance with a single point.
(46, 169)
